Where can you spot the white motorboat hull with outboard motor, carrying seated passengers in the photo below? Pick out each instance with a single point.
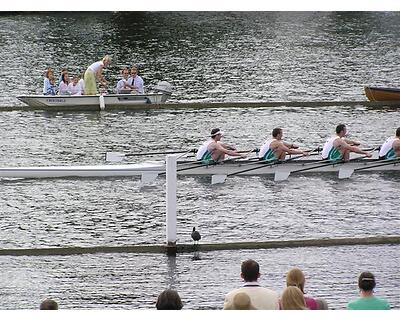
(100, 102)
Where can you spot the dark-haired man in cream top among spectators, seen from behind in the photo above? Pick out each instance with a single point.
(260, 298)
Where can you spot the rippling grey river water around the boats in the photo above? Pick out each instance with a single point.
(270, 56)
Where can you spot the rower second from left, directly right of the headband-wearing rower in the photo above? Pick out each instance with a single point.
(276, 149)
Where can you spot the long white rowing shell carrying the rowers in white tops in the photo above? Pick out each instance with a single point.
(184, 168)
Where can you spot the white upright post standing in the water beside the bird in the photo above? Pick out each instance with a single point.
(171, 199)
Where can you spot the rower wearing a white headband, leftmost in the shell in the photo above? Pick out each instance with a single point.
(214, 150)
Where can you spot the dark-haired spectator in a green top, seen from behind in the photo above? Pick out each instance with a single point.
(367, 300)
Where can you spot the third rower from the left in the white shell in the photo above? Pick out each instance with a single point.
(338, 148)
